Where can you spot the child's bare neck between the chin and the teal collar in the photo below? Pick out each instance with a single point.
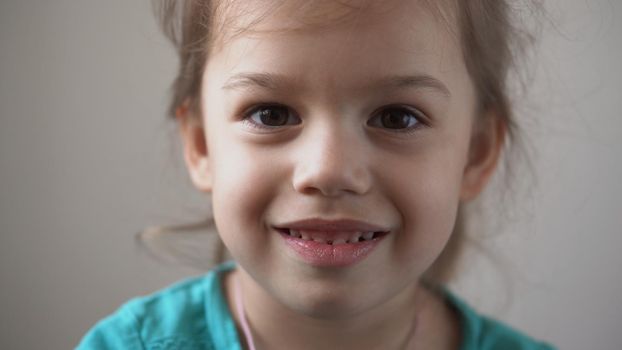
(392, 325)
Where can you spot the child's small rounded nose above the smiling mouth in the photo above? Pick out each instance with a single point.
(332, 163)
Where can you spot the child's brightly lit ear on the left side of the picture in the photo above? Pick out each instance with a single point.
(195, 149)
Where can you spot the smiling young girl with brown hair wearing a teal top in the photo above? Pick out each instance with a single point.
(339, 141)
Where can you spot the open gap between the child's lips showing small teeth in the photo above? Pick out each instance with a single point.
(333, 237)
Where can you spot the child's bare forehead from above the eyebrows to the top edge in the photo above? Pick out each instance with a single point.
(338, 42)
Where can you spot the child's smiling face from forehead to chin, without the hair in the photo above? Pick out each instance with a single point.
(365, 118)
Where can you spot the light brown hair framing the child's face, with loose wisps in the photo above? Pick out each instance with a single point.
(492, 38)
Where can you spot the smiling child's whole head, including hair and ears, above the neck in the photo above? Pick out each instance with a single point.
(393, 113)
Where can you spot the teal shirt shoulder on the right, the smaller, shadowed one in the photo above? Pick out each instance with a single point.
(480, 332)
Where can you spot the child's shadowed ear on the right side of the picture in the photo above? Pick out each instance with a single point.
(485, 148)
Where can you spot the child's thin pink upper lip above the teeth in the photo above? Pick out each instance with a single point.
(318, 224)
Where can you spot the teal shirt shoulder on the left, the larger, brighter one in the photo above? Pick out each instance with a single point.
(177, 317)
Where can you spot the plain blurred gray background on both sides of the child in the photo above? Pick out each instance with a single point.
(87, 159)
